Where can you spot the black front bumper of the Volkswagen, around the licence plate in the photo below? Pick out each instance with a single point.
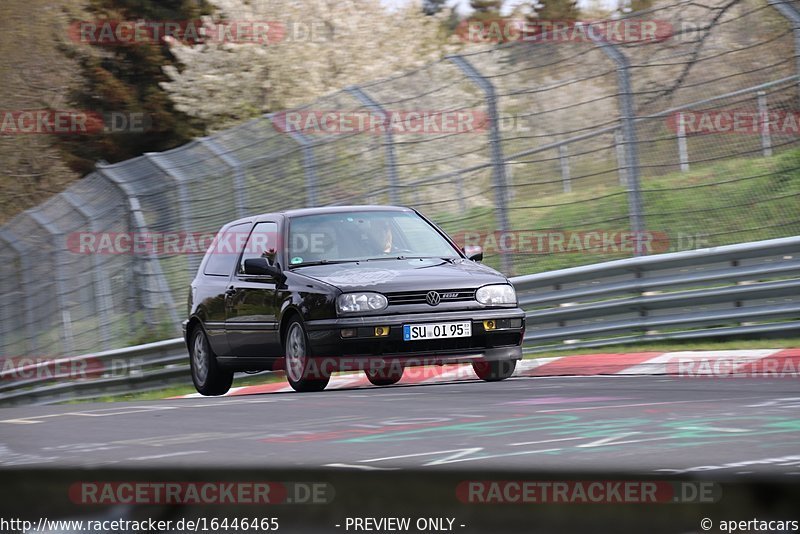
(502, 343)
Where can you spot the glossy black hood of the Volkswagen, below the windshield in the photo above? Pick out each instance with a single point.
(403, 275)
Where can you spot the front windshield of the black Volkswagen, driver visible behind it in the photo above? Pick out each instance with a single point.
(364, 236)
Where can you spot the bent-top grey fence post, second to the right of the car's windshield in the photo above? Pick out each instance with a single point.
(631, 144)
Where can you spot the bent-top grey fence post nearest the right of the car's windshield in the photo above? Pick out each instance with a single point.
(498, 163)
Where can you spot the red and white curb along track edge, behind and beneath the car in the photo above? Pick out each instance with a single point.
(766, 363)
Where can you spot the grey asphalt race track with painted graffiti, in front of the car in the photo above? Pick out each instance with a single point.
(629, 424)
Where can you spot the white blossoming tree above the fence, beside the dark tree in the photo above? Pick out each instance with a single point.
(327, 45)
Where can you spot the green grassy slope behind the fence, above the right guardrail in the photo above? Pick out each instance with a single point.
(732, 201)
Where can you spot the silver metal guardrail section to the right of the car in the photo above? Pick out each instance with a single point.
(748, 288)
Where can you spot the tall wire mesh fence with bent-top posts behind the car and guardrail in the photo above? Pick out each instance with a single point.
(552, 151)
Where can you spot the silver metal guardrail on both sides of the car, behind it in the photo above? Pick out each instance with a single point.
(744, 289)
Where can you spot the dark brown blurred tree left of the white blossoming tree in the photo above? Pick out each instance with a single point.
(123, 79)
